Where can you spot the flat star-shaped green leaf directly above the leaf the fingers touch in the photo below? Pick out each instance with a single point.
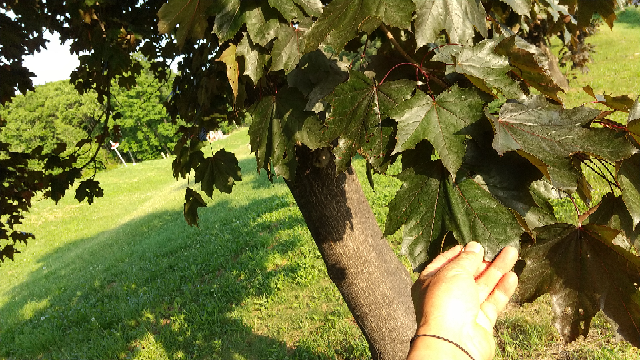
(442, 121)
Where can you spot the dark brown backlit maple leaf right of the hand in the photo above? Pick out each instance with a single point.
(584, 272)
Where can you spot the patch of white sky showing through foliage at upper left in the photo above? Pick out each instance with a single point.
(53, 64)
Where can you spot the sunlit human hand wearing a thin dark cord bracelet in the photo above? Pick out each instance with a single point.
(458, 296)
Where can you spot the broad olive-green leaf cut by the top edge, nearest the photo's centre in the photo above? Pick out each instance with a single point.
(342, 20)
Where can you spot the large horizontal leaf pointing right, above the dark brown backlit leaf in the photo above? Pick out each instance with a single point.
(548, 135)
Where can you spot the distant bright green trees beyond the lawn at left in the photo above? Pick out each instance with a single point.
(55, 113)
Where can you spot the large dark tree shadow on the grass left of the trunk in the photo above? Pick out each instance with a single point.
(156, 287)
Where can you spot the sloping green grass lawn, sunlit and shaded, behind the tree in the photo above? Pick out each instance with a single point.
(127, 278)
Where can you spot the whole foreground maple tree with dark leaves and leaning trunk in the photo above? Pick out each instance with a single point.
(419, 99)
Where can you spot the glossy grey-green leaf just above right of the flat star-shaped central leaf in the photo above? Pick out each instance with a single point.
(482, 66)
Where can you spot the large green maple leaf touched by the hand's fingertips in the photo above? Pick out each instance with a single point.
(429, 204)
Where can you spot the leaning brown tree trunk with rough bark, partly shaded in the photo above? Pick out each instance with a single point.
(373, 282)
